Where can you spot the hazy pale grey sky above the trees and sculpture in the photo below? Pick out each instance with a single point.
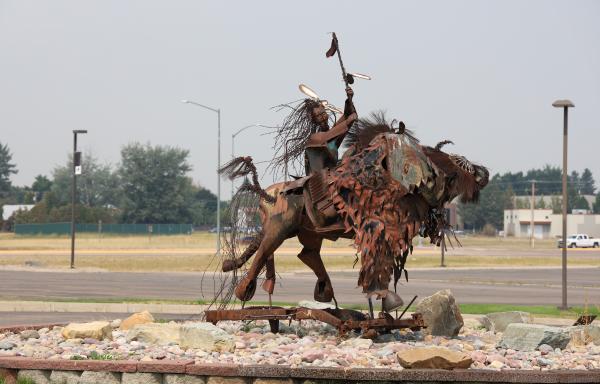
(480, 73)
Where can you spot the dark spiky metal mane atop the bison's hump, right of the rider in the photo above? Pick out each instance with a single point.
(365, 129)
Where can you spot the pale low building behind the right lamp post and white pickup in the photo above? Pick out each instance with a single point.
(517, 223)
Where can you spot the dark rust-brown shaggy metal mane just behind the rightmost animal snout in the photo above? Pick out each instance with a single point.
(465, 185)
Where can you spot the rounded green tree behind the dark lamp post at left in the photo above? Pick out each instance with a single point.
(97, 186)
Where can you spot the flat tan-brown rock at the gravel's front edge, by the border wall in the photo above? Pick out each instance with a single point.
(433, 358)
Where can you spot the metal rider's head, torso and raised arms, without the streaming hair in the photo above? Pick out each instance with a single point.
(322, 146)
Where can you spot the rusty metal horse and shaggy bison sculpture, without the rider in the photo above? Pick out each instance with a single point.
(386, 189)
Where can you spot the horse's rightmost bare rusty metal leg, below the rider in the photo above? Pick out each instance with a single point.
(311, 256)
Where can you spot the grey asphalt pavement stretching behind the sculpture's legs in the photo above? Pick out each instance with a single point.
(523, 286)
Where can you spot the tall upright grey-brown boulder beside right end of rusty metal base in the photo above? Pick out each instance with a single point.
(441, 314)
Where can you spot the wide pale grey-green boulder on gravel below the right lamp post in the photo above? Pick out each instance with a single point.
(528, 337)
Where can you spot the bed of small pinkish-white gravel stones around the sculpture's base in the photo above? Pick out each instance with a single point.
(309, 344)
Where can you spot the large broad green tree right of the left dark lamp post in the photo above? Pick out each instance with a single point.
(155, 186)
